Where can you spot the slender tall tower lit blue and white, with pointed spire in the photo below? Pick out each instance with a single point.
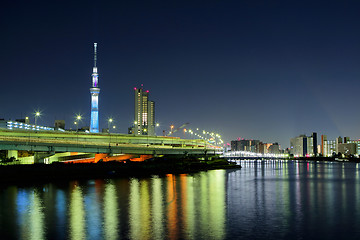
(94, 90)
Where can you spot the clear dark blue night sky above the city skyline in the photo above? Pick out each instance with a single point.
(267, 70)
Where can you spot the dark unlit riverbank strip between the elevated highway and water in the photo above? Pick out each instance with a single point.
(60, 171)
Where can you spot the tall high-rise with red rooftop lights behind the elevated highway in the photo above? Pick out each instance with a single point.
(144, 118)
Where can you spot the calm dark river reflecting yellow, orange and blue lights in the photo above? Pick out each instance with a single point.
(263, 200)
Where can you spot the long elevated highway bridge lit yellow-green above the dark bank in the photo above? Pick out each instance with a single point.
(51, 144)
